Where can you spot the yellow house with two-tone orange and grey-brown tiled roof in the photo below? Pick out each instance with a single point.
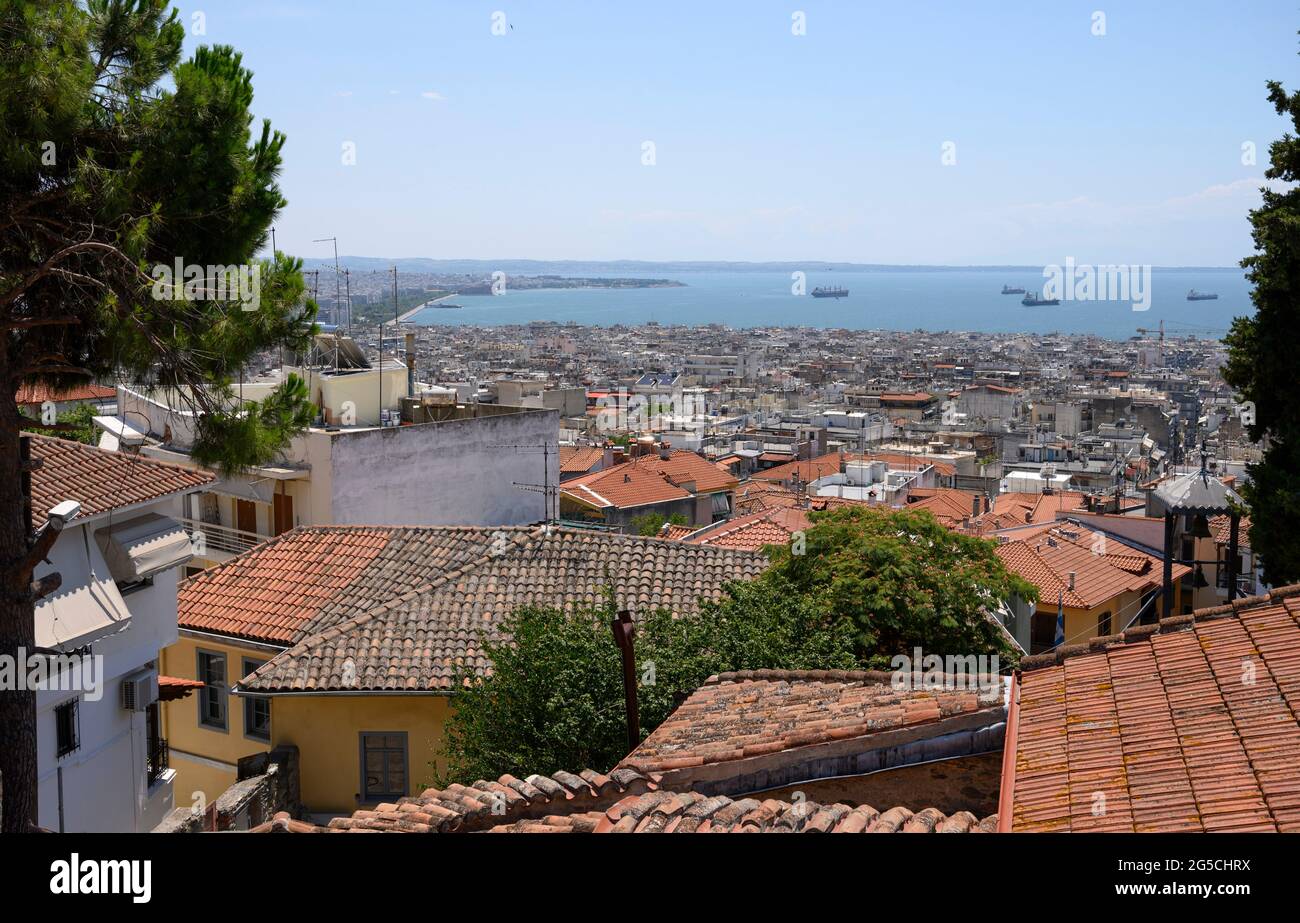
(362, 631)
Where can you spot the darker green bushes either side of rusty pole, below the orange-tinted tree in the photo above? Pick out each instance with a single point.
(554, 700)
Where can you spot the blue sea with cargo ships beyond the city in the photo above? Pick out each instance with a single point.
(937, 300)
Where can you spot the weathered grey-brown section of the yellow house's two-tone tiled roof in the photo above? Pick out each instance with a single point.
(415, 631)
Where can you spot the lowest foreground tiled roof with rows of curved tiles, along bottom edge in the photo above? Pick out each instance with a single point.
(622, 803)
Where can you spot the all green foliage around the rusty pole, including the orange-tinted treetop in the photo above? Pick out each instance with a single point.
(870, 586)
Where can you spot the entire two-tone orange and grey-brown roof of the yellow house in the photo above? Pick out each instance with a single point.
(411, 612)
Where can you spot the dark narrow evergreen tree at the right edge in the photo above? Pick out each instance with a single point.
(1263, 367)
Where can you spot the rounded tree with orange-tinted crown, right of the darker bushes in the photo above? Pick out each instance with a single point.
(903, 582)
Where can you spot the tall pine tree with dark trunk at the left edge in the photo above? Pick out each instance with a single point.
(116, 159)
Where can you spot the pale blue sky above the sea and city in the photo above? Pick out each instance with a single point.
(964, 133)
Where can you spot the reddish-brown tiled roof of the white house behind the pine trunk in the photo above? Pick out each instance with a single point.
(101, 480)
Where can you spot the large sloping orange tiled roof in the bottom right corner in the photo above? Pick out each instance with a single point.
(1190, 725)
